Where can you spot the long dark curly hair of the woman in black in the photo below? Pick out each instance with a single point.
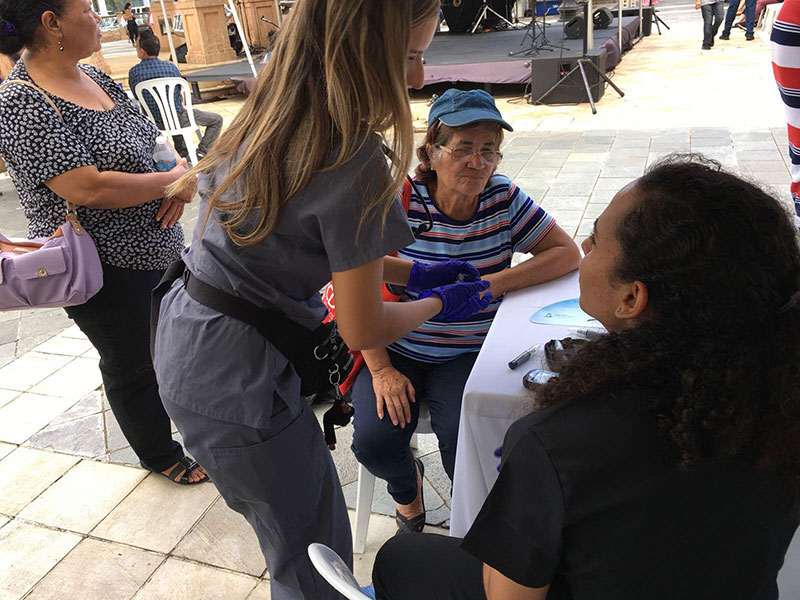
(718, 359)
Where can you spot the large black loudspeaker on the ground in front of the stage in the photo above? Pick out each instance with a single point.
(546, 71)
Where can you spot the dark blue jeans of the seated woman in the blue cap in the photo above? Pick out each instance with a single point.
(383, 448)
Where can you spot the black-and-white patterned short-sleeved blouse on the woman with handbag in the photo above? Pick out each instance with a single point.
(36, 146)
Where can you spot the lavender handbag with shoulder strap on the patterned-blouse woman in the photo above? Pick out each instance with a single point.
(62, 270)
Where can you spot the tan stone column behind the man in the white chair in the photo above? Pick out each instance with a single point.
(206, 31)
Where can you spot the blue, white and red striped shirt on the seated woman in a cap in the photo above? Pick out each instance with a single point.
(506, 221)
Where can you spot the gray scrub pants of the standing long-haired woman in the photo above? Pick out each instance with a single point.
(283, 481)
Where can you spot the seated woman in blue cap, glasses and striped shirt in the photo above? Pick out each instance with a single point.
(460, 208)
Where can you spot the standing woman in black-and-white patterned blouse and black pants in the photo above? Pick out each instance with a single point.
(100, 157)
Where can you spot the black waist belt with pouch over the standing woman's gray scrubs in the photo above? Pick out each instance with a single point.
(320, 357)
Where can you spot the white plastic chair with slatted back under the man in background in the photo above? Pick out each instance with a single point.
(162, 91)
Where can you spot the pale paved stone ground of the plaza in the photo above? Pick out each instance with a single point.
(77, 517)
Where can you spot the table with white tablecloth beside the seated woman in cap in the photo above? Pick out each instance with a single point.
(494, 396)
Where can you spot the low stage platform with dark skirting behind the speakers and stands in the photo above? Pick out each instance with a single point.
(480, 58)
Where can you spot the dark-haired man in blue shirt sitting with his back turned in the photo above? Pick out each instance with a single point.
(151, 67)
